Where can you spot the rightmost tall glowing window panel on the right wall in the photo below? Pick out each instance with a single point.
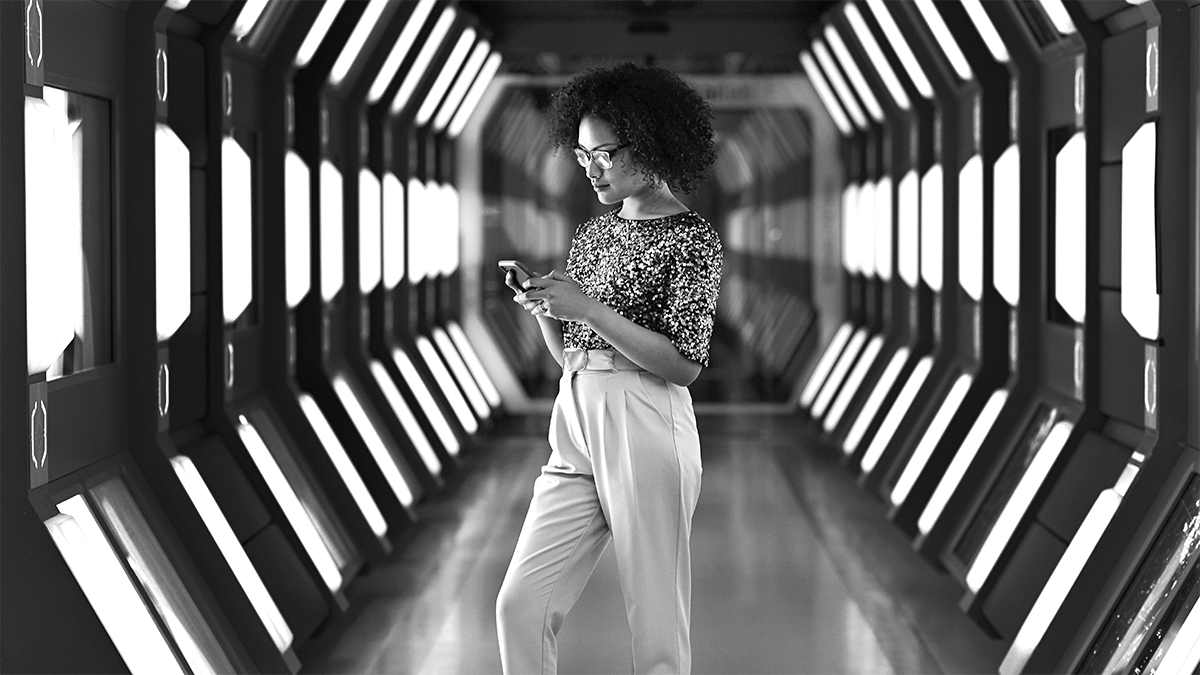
(1139, 241)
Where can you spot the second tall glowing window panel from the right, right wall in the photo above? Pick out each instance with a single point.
(1071, 228)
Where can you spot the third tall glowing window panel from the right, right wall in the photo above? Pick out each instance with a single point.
(1006, 229)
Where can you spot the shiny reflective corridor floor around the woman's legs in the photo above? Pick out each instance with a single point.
(795, 570)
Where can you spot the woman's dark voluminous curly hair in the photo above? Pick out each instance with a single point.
(665, 123)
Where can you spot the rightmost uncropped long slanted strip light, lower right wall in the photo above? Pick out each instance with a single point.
(1060, 583)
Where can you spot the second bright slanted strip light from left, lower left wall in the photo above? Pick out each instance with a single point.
(231, 548)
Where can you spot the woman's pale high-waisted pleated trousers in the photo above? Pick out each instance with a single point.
(625, 468)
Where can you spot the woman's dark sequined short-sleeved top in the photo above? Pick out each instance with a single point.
(663, 274)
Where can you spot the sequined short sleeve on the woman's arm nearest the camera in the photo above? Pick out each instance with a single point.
(693, 288)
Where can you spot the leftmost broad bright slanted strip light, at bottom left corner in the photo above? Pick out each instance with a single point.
(110, 590)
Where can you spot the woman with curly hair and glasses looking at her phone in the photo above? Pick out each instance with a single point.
(631, 324)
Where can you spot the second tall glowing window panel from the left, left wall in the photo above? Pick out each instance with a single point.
(173, 231)
